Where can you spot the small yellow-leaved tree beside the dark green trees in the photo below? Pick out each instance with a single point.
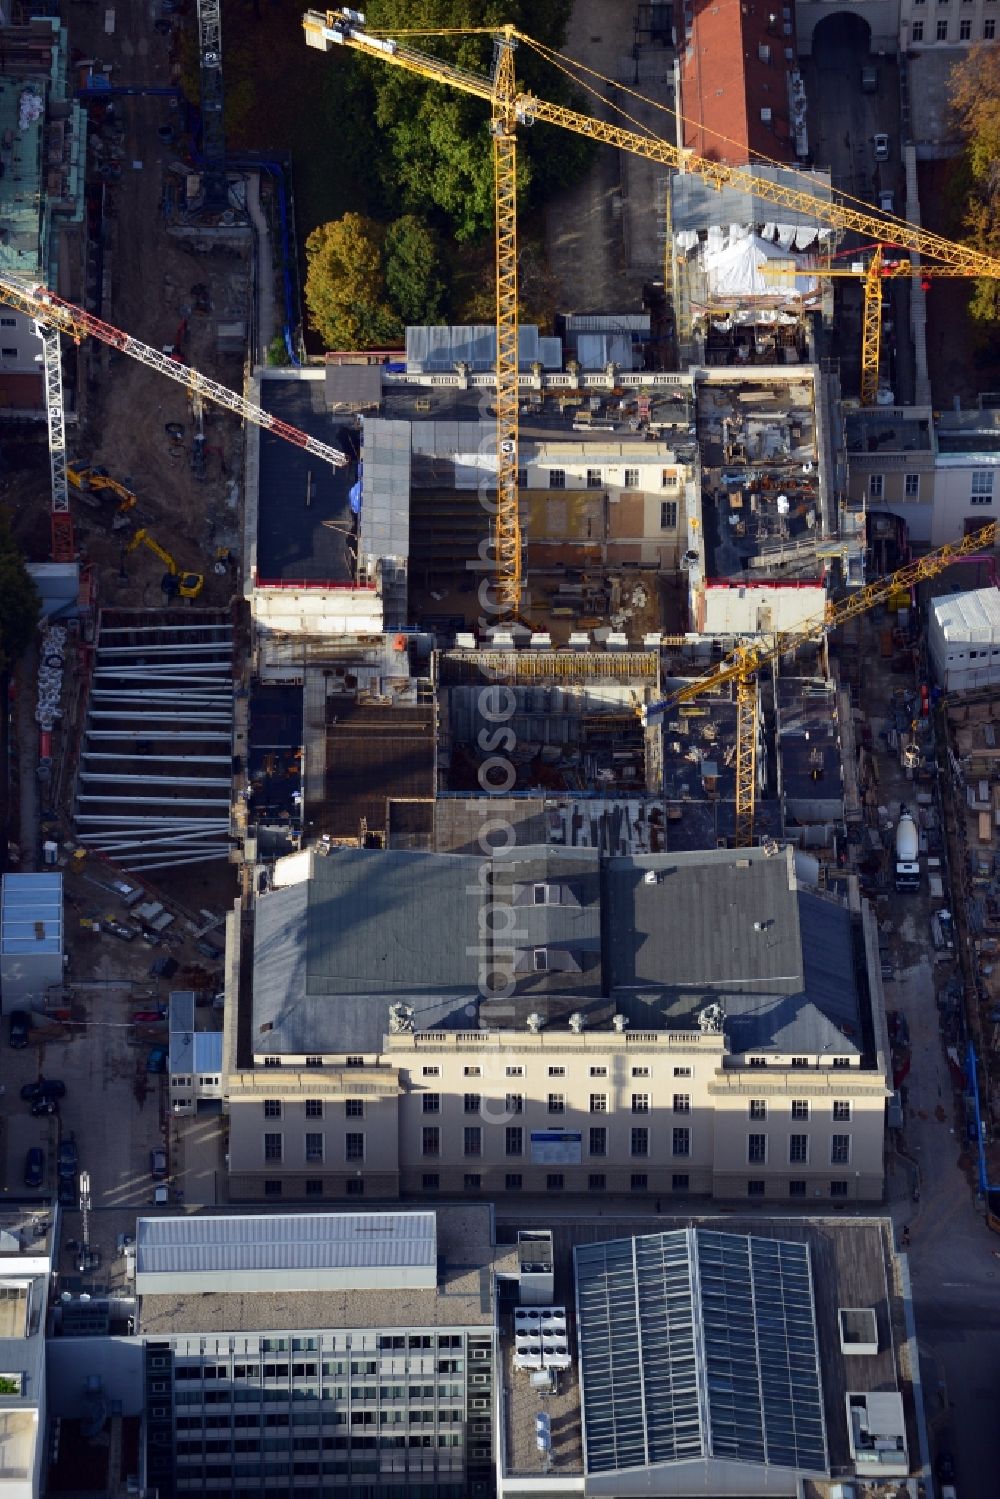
(346, 286)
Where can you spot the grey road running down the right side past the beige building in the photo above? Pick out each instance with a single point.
(954, 1273)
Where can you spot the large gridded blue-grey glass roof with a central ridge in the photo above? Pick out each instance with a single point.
(699, 1345)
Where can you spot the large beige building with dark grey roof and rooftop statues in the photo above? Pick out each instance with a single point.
(548, 1022)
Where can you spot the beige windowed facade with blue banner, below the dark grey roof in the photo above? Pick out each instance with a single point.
(594, 1113)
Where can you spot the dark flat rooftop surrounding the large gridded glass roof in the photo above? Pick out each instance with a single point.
(852, 1266)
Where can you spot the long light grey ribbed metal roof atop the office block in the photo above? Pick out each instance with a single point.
(286, 1245)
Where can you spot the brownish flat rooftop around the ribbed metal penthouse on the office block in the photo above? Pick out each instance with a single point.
(466, 1255)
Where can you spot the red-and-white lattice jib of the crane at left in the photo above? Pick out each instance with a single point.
(55, 313)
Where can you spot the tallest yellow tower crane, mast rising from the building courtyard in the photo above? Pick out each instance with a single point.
(509, 109)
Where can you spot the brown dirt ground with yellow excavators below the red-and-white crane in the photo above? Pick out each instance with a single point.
(125, 408)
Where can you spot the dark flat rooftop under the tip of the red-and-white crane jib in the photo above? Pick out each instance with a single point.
(305, 518)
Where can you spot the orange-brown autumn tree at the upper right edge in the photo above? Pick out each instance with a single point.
(975, 98)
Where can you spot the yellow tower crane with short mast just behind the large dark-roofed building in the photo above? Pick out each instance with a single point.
(743, 665)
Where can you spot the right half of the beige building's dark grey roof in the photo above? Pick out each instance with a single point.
(731, 927)
